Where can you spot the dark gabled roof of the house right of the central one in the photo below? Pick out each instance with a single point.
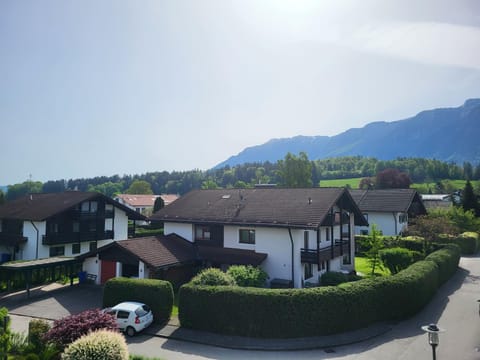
(389, 200)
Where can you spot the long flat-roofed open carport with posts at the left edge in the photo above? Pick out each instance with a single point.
(50, 265)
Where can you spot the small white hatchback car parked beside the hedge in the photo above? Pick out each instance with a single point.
(131, 316)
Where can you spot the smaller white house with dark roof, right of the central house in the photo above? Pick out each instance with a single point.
(389, 209)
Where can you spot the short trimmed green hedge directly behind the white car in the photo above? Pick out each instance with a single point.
(158, 294)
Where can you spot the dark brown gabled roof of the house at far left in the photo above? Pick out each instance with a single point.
(39, 207)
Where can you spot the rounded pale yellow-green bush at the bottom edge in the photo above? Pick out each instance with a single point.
(100, 344)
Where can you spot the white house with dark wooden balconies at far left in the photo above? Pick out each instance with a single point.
(61, 224)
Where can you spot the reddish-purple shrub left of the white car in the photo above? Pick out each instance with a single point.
(68, 329)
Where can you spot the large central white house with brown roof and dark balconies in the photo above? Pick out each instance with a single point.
(295, 235)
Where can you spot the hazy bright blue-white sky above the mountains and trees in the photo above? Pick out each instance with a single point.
(91, 88)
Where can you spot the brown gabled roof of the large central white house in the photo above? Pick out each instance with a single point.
(276, 207)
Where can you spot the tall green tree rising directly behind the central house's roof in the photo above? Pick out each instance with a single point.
(295, 171)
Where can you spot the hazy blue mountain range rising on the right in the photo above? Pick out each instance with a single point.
(447, 134)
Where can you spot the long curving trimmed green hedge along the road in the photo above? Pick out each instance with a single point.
(286, 313)
